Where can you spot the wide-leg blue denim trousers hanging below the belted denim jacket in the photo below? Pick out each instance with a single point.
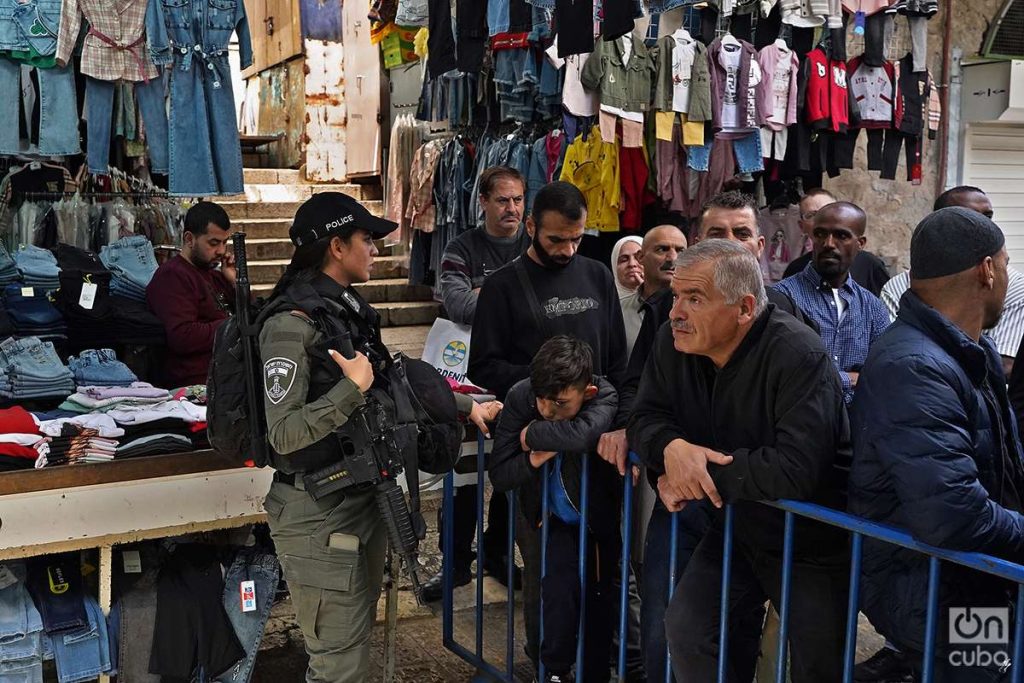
(205, 153)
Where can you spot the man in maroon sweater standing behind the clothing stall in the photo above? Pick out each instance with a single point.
(192, 297)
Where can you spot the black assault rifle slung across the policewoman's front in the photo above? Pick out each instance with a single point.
(371, 456)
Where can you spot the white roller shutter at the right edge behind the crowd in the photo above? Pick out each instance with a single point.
(995, 162)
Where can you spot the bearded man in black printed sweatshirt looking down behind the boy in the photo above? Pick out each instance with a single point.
(548, 291)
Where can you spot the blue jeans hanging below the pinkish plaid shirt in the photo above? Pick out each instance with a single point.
(100, 107)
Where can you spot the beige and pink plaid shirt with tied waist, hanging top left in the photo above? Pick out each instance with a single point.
(119, 22)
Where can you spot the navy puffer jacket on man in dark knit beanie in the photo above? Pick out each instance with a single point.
(936, 453)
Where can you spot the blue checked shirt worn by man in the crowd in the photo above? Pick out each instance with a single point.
(848, 340)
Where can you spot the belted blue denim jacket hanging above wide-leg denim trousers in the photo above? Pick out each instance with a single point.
(196, 30)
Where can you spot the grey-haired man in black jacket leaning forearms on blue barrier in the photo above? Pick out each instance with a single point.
(740, 403)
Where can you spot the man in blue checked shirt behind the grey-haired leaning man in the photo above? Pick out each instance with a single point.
(849, 317)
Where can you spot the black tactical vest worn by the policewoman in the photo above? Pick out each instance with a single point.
(331, 319)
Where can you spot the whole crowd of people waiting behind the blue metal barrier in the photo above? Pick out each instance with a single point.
(817, 390)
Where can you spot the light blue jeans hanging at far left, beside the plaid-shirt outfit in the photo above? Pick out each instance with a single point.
(58, 111)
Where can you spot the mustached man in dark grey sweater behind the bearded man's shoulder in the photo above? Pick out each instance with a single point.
(468, 262)
